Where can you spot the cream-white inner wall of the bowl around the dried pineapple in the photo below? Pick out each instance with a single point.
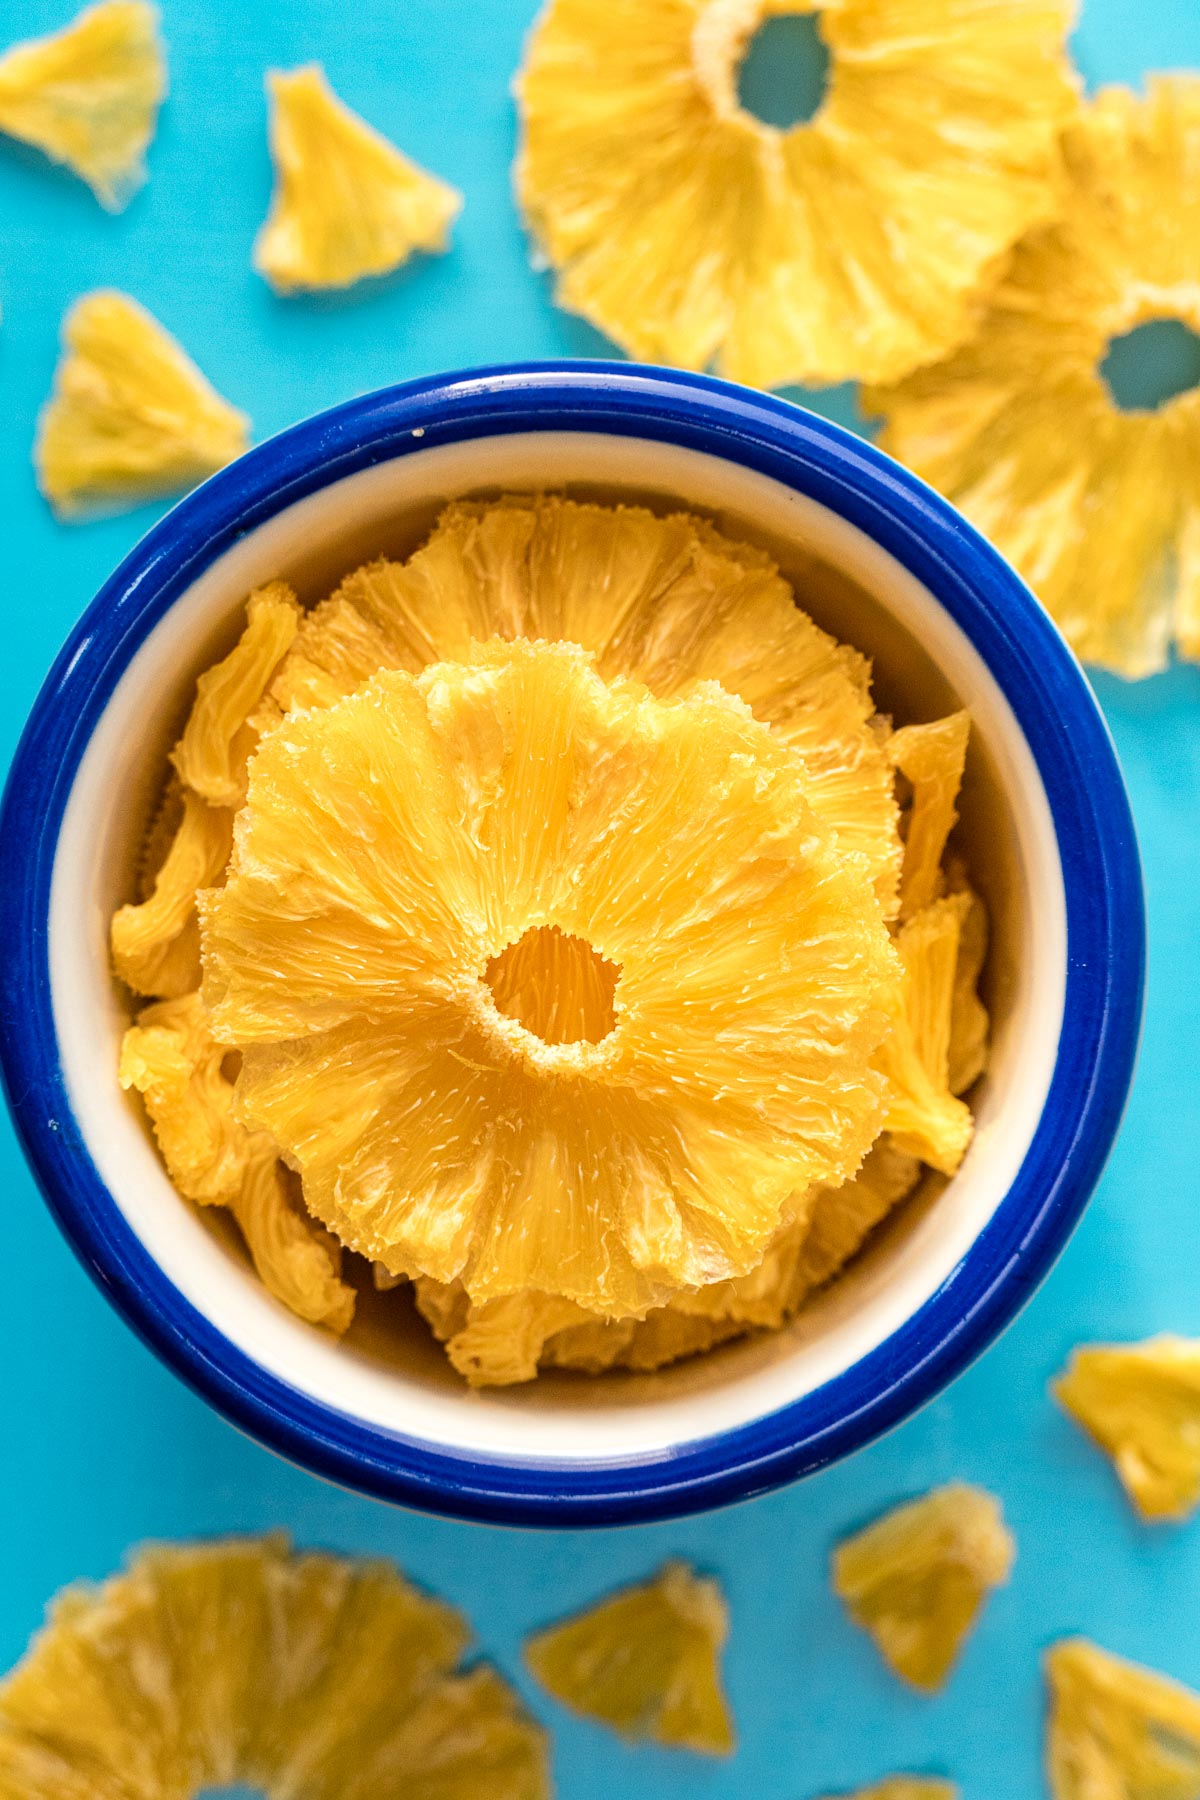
(388, 1371)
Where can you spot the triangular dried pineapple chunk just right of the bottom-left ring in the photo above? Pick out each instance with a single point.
(647, 1662)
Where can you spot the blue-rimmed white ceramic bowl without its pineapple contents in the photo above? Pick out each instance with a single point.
(882, 562)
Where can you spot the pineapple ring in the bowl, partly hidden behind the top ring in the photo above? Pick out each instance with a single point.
(665, 600)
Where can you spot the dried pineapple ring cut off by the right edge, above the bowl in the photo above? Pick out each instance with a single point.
(1098, 507)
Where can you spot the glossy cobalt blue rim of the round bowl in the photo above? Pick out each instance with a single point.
(1097, 843)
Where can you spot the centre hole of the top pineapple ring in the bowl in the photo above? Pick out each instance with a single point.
(557, 987)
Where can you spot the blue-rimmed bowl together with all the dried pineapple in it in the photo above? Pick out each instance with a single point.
(573, 942)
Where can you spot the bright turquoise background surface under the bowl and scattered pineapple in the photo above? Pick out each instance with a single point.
(102, 1448)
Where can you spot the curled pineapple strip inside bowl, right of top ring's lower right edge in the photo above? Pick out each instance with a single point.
(922, 1115)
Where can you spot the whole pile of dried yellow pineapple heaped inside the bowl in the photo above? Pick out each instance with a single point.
(569, 944)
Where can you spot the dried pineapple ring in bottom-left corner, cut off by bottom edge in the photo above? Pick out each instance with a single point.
(208, 1666)
